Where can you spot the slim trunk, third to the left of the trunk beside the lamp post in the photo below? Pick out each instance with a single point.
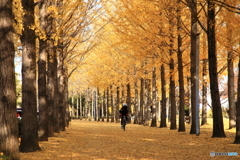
(163, 122)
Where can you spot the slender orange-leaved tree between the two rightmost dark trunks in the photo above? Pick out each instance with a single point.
(230, 28)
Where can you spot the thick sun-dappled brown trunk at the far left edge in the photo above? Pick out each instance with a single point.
(9, 144)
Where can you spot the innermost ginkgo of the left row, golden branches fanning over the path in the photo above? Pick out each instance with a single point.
(74, 38)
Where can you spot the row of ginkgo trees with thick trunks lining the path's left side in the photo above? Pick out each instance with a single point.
(52, 38)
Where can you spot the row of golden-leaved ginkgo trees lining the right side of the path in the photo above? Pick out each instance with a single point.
(190, 43)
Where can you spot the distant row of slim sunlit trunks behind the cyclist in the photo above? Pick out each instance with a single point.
(105, 106)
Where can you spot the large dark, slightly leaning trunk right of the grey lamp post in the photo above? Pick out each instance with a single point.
(218, 129)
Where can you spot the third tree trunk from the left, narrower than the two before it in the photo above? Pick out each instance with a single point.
(42, 74)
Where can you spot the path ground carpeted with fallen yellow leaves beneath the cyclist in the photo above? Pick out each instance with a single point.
(88, 140)
